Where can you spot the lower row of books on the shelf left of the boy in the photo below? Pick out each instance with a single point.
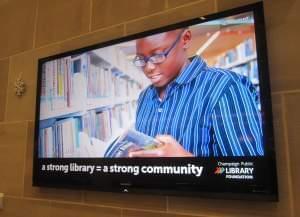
(74, 136)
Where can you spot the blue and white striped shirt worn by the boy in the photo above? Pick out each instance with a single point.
(209, 111)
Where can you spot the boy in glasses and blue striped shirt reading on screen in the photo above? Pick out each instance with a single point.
(192, 109)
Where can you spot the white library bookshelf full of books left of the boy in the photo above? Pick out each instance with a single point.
(87, 100)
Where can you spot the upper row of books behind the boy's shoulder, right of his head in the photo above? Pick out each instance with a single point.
(237, 54)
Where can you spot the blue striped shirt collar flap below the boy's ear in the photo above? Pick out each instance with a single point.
(190, 71)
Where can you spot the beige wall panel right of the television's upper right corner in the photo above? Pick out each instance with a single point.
(283, 33)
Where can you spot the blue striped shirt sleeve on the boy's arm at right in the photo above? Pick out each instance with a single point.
(236, 121)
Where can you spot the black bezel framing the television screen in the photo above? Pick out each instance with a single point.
(269, 157)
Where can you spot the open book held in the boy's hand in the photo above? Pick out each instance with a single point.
(130, 140)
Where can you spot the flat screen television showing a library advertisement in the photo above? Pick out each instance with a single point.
(184, 109)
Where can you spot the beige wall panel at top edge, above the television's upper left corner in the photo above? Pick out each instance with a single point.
(59, 20)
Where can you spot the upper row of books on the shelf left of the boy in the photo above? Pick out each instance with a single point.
(71, 81)
